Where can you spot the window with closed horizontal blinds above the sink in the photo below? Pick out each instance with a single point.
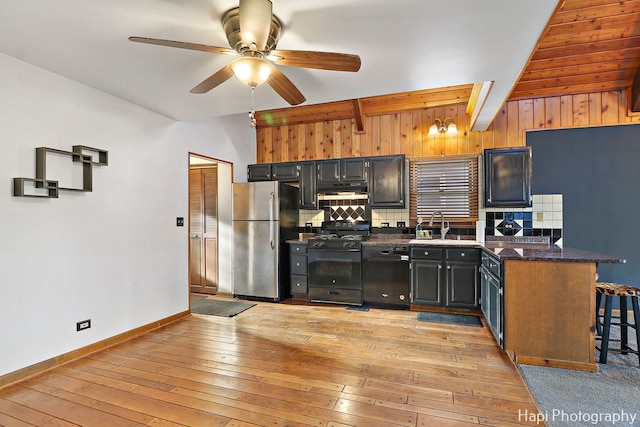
(446, 184)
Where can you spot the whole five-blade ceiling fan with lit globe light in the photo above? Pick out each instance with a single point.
(253, 33)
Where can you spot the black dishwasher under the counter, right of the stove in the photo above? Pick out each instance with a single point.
(385, 276)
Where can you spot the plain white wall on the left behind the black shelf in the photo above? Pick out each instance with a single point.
(113, 255)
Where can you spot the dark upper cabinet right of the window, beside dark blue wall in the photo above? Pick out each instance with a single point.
(507, 177)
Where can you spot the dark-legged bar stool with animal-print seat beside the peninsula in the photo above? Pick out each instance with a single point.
(603, 328)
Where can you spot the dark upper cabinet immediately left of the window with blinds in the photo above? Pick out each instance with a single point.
(387, 182)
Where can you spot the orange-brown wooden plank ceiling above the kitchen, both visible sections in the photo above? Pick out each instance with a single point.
(588, 46)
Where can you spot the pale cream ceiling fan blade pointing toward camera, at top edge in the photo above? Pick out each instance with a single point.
(255, 22)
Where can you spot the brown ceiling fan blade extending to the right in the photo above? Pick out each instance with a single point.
(317, 60)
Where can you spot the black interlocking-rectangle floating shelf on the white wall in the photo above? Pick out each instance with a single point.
(49, 188)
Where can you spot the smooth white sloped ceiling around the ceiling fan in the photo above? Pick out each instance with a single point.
(405, 45)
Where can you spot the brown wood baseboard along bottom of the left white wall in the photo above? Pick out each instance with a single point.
(45, 365)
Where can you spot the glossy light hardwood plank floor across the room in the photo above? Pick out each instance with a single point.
(283, 365)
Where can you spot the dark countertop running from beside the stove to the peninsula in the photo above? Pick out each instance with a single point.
(501, 250)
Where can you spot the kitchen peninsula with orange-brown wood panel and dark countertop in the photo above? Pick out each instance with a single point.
(541, 307)
